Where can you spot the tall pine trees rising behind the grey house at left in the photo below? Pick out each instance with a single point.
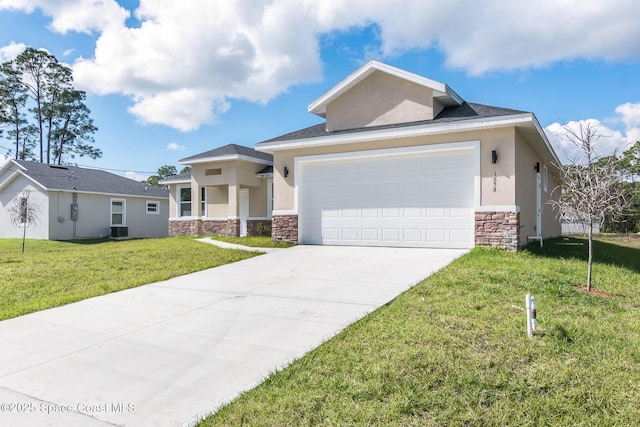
(41, 112)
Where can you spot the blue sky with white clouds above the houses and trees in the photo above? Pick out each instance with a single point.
(166, 79)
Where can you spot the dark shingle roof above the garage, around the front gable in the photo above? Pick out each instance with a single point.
(465, 111)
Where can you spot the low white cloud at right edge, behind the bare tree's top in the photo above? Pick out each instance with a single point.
(610, 140)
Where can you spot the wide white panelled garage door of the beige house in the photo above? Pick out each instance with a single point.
(422, 199)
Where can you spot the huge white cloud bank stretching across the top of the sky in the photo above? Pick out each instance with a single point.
(187, 60)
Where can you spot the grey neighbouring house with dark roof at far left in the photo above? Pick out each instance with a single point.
(79, 203)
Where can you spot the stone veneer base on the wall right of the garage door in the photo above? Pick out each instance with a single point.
(498, 230)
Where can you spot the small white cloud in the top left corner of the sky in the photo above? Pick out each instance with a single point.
(84, 16)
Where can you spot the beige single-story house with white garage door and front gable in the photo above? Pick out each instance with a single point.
(400, 160)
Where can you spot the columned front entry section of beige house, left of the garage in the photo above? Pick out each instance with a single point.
(229, 191)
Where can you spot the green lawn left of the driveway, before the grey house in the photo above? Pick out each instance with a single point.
(55, 273)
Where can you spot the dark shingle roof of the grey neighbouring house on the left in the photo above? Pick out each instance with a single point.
(71, 178)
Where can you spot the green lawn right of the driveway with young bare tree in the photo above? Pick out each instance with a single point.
(454, 351)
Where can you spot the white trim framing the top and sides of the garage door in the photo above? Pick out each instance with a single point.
(386, 152)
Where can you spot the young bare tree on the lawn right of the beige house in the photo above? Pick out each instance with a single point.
(590, 186)
